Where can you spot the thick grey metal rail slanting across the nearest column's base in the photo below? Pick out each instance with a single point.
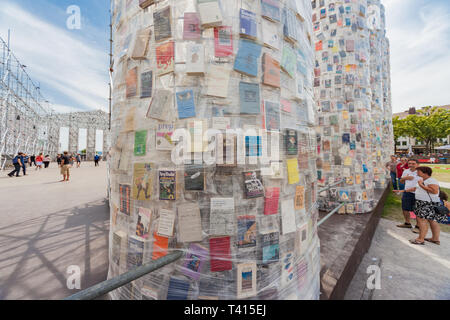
(111, 284)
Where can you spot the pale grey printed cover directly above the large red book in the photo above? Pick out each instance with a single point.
(221, 219)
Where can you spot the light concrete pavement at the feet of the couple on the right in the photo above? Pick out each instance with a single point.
(408, 272)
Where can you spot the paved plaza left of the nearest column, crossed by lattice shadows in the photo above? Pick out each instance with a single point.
(47, 226)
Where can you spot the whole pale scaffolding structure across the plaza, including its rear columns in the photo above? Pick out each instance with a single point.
(27, 121)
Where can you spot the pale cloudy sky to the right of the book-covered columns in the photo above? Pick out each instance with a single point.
(420, 52)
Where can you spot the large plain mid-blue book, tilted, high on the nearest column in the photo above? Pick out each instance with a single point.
(247, 58)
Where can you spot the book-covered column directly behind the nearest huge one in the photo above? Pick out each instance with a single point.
(343, 96)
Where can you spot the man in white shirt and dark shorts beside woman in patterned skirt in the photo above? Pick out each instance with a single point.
(409, 178)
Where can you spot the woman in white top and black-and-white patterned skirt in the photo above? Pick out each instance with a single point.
(427, 196)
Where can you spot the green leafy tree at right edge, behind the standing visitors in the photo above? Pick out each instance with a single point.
(428, 125)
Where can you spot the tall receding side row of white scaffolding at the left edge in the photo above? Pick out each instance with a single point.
(27, 122)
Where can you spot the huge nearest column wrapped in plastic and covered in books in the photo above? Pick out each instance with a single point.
(214, 149)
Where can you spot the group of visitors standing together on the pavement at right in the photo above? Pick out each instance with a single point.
(421, 196)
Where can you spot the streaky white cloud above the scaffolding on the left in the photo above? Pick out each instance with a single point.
(70, 69)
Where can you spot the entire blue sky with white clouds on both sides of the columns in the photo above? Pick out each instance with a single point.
(71, 66)
